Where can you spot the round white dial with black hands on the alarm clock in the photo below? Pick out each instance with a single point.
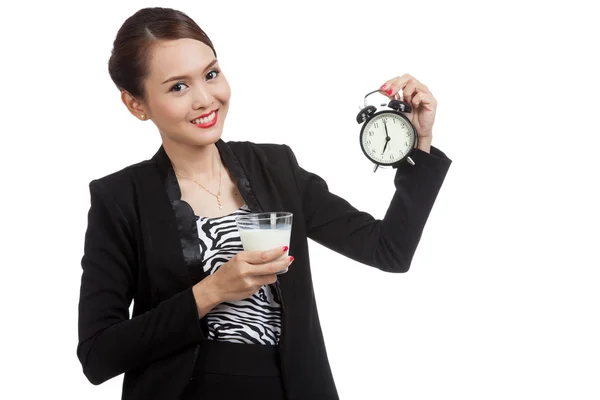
(387, 138)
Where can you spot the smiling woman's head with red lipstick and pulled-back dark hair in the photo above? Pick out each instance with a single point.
(160, 80)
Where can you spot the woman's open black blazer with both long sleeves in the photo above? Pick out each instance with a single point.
(141, 239)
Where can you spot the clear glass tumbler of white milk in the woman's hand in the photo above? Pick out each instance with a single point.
(265, 231)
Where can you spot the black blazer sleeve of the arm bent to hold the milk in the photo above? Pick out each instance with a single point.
(110, 343)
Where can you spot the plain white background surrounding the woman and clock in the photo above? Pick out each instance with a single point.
(502, 297)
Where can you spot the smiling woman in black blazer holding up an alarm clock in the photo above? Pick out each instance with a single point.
(210, 319)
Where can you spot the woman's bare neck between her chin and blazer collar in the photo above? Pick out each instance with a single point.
(196, 162)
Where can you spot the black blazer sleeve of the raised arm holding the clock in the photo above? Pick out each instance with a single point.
(388, 244)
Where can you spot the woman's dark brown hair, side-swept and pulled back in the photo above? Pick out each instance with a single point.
(129, 62)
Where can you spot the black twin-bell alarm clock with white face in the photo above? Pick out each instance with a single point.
(387, 137)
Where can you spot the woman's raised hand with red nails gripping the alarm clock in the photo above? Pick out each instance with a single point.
(421, 100)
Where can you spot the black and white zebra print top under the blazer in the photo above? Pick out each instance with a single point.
(254, 320)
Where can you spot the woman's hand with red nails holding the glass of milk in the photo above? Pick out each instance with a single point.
(242, 276)
